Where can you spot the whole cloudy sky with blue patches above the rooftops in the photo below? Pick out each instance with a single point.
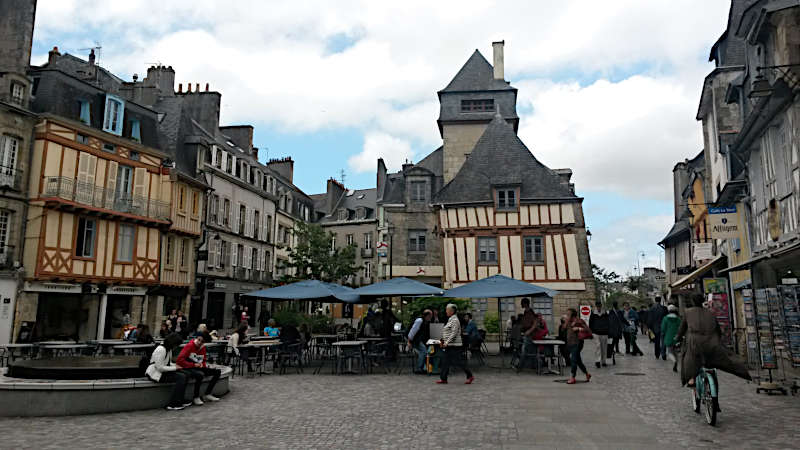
(609, 89)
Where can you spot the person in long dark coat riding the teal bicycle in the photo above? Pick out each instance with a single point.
(702, 347)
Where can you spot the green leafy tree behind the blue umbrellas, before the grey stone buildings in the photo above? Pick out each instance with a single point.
(313, 257)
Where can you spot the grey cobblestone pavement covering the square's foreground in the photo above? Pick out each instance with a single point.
(501, 410)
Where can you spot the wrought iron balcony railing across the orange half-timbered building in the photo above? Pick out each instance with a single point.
(99, 197)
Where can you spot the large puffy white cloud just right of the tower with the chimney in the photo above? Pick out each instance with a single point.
(620, 137)
